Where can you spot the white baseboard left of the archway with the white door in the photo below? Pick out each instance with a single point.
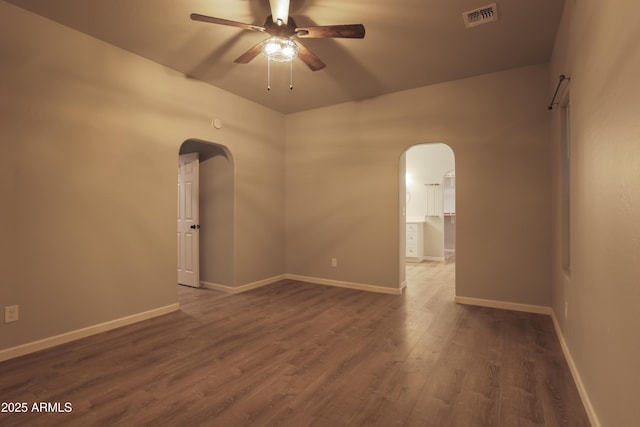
(66, 337)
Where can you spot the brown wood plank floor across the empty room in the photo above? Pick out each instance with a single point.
(297, 354)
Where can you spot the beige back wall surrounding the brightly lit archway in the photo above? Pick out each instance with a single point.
(342, 183)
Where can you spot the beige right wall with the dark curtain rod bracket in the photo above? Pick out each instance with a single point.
(598, 47)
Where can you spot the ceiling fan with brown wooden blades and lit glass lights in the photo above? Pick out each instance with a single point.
(283, 45)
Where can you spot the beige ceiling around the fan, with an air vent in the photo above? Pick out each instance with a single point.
(408, 43)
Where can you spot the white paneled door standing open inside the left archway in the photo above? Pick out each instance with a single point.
(188, 221)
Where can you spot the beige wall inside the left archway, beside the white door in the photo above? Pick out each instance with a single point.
(217, 246)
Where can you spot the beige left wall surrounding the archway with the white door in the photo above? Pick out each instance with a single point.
(90, 138)
